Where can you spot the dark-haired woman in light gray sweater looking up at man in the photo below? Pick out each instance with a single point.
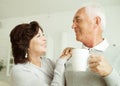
(31, 69)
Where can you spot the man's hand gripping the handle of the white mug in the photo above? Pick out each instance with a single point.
(99, 65)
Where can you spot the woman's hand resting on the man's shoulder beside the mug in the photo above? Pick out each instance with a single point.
(66, 53)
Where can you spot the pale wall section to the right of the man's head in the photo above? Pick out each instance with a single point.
(112, 31)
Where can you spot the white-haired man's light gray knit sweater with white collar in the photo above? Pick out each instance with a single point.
(88, 78)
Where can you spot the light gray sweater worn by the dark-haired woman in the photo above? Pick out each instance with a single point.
(48, 74)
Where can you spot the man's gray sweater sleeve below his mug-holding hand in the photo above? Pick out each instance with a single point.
(113, 79)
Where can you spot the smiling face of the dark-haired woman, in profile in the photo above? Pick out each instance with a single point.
(37, 44)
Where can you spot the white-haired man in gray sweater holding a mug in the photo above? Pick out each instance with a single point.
(103, 70)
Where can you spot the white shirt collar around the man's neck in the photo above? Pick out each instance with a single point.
(101, 46)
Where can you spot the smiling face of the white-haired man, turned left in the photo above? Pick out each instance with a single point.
(83, 26)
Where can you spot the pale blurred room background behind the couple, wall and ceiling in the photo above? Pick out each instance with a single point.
(55, 17)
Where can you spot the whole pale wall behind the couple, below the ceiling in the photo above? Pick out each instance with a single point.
(57, 26)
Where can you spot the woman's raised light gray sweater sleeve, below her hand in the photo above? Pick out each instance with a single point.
(58, 79)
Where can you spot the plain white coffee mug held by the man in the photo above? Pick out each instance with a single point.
(79, 59)
